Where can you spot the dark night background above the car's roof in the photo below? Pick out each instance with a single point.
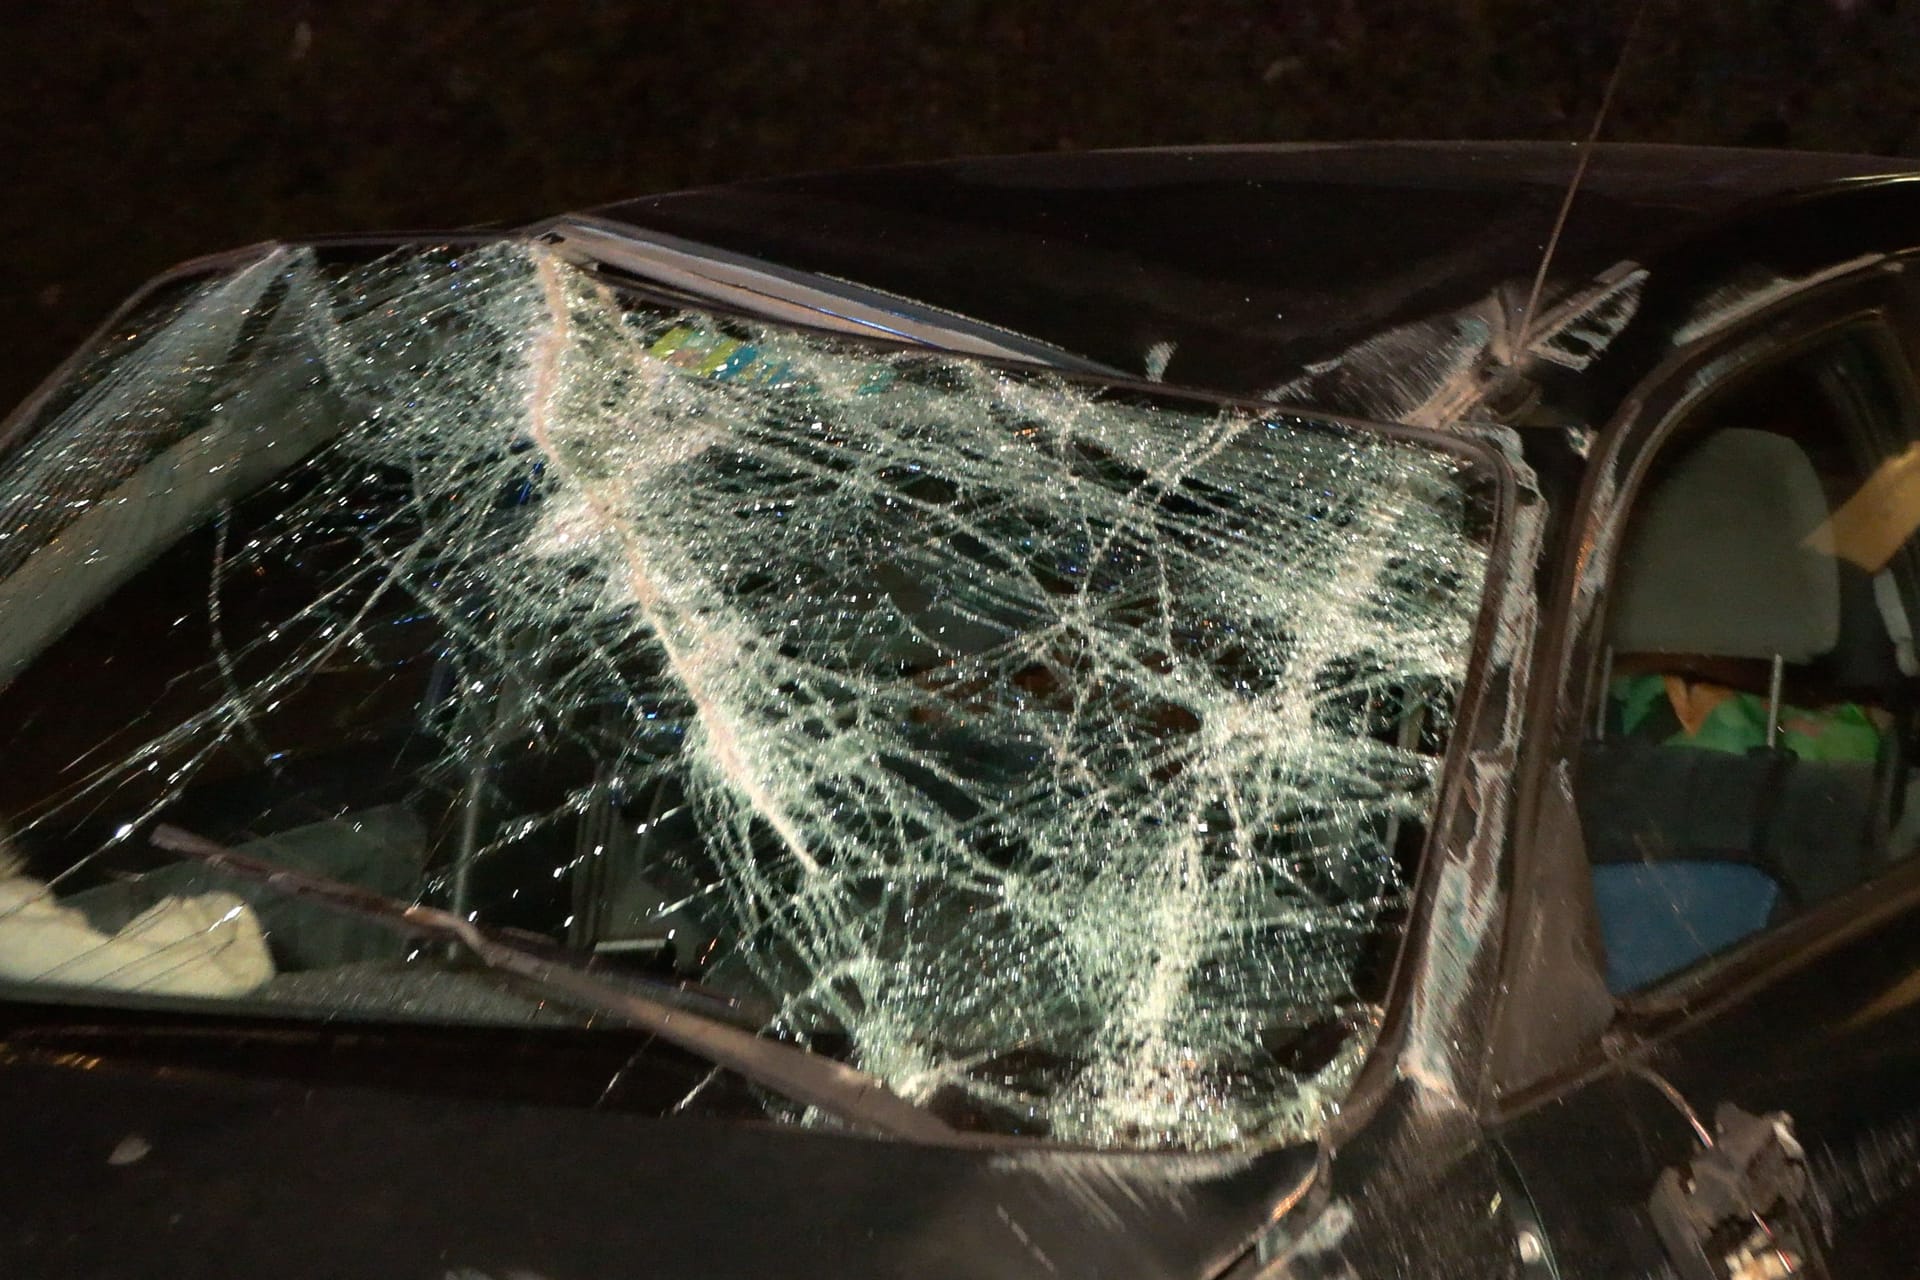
(147, 133)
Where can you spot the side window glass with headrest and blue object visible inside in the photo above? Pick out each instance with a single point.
(1752, 749)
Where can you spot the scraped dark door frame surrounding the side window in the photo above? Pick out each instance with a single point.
(1550, 893)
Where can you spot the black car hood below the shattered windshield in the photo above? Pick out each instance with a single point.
(162, 1175)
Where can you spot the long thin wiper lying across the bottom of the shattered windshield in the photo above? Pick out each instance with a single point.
(788, 1070)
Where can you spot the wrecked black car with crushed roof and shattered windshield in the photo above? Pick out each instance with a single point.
(1339, 711)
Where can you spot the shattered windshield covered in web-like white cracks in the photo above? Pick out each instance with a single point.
(1055, 755)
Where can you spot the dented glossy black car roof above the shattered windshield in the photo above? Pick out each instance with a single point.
(1253, 262)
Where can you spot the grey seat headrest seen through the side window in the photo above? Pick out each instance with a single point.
(1716, 559)
